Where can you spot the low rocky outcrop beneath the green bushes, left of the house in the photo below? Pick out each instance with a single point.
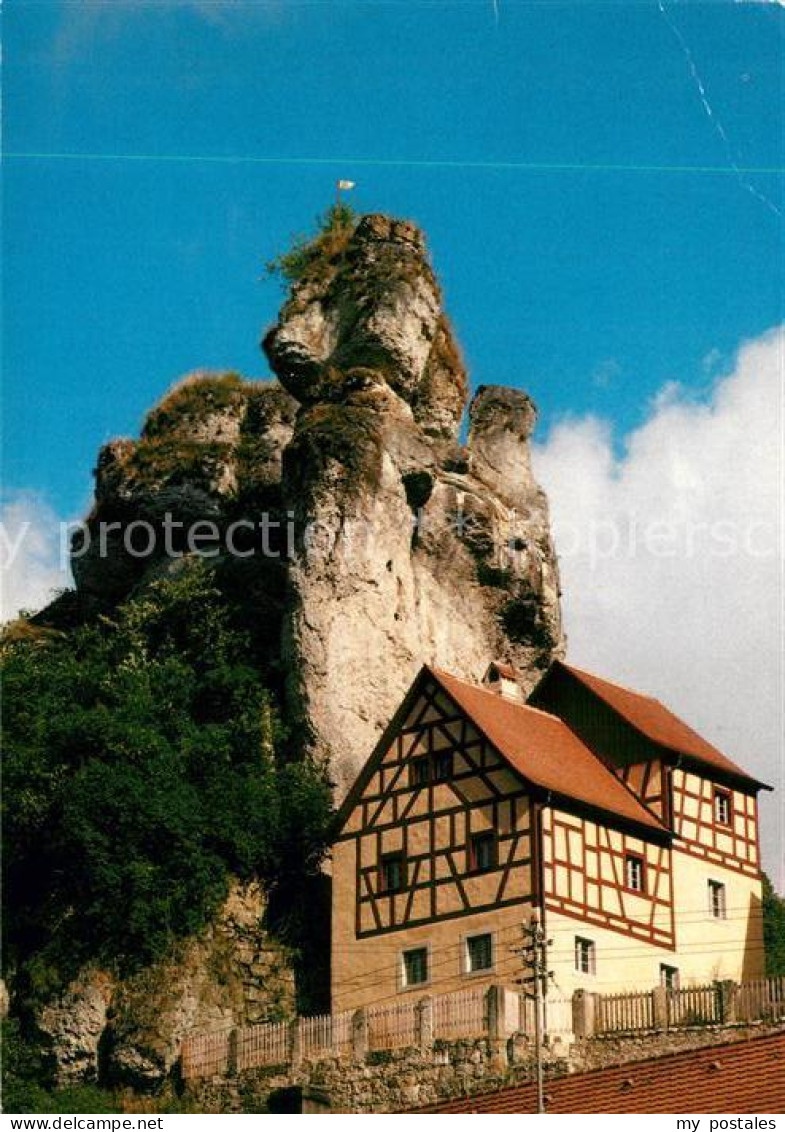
(130, 1032)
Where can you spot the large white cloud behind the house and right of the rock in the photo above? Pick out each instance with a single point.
(672, 560)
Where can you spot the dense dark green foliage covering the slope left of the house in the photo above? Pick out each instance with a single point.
(141, 774)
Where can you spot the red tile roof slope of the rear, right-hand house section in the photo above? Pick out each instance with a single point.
(654, 721)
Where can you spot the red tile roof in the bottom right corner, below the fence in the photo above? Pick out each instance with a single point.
(739, 1077)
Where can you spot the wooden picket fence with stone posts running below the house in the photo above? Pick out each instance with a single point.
(479, 1013)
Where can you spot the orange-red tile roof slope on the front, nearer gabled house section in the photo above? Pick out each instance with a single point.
(545, 752)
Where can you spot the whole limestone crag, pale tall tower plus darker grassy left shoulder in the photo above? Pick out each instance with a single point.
(406, 546)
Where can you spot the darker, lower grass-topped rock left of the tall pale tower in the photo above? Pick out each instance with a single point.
(210, 452)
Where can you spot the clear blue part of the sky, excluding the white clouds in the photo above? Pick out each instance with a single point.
(217, 130)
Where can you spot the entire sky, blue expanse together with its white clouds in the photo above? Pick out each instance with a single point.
(602, 185)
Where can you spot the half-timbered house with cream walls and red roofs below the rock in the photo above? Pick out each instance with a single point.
(632, 837)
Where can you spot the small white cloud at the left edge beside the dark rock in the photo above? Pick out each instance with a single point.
(30, 554)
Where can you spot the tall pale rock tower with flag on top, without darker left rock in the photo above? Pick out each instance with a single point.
(409, 547)
